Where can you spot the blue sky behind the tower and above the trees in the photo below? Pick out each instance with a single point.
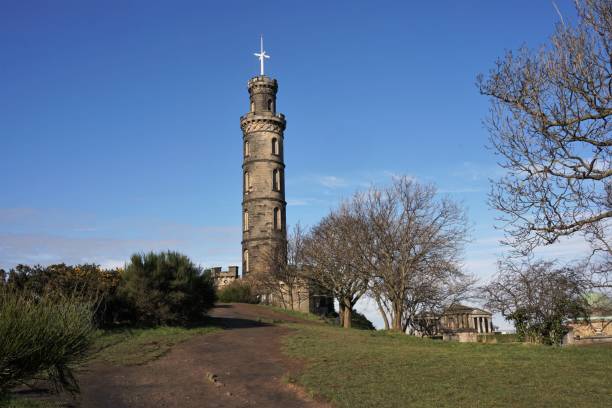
(119, 121)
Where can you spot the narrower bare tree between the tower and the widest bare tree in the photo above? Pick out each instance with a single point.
(335, 263)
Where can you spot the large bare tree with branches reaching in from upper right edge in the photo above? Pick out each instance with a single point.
(550, 123)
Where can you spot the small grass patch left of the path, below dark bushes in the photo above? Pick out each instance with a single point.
(139, 346)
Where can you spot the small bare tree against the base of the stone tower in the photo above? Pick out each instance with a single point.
(284, 282)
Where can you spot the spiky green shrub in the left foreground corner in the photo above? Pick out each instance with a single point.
(45, 335)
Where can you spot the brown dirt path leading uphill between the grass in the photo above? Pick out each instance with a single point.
(245, 358)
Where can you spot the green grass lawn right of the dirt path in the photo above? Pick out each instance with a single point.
(354, 368)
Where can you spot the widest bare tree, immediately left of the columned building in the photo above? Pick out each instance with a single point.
(412, 243)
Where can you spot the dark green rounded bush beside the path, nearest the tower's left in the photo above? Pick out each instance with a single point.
(166, 288)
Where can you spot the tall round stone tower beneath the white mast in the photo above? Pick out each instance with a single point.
(263, 170)
